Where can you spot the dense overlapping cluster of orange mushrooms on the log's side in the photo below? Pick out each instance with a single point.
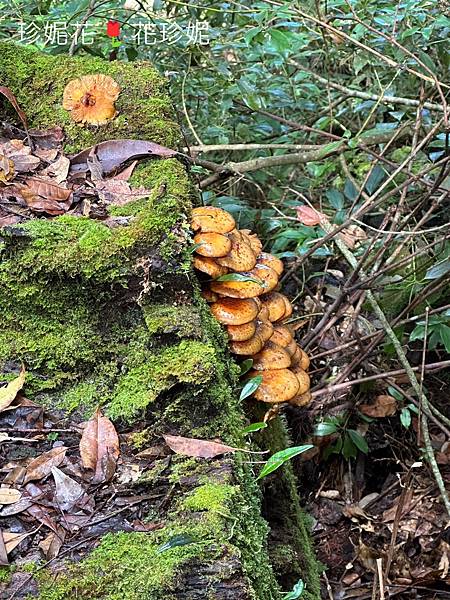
(249, 306)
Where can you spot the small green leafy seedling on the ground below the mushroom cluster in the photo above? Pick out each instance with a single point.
(347, 441)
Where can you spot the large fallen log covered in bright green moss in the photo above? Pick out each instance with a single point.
(113, 316)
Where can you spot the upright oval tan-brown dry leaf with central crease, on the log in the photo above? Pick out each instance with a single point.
(99, 447)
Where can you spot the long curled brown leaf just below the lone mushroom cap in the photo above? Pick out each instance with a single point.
(113, 153)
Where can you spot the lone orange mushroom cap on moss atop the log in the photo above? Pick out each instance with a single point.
(90, 99)
